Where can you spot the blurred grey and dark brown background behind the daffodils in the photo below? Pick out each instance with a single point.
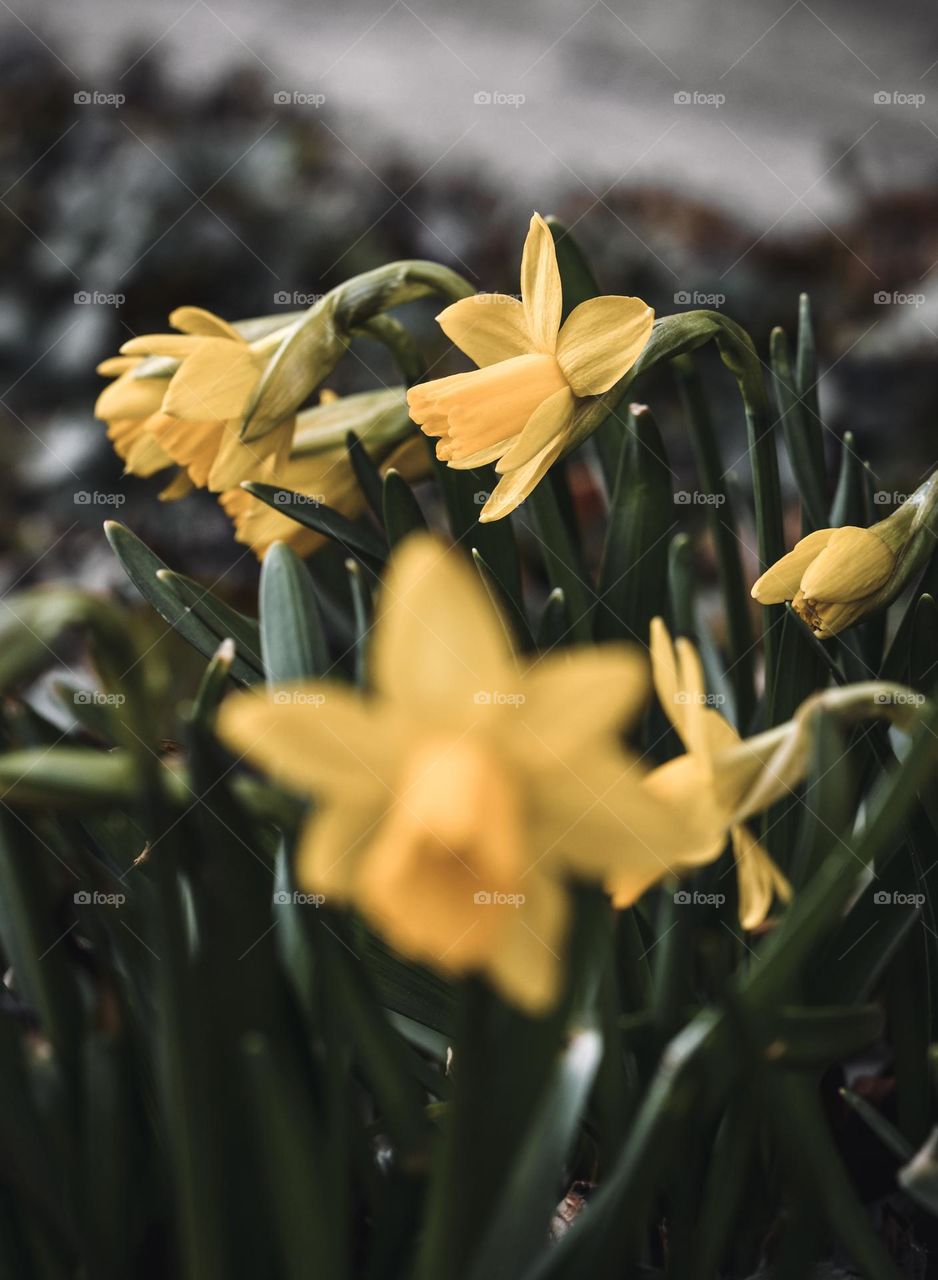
(246, 157)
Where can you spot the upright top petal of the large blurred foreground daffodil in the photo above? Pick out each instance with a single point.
(440, 650)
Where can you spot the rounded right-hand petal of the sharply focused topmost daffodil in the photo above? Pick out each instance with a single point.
(601, 341)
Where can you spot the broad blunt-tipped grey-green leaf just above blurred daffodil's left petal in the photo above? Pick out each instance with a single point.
(292, 639)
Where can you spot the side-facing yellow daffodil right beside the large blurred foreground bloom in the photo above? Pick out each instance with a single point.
(693, 783)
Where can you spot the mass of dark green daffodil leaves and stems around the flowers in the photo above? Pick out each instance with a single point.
(208, 1075)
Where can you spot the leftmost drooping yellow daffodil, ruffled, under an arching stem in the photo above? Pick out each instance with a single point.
(199, 422)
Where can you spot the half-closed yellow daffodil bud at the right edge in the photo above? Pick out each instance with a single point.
(836, 577)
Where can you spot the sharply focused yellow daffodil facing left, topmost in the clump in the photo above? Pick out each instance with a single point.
(518, 409)
